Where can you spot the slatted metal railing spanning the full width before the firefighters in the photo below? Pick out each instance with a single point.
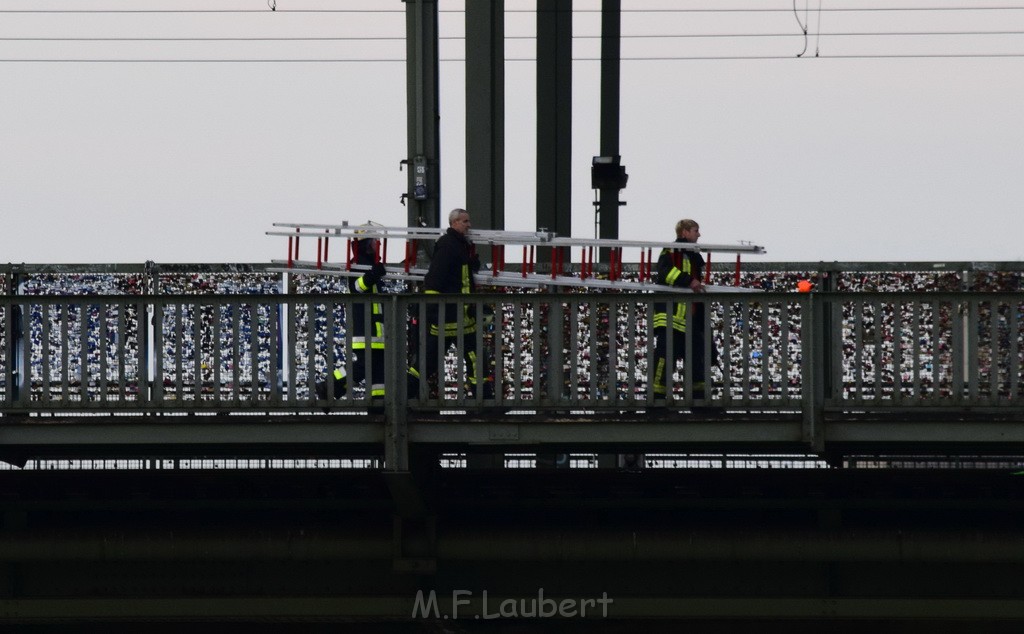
(563, 352)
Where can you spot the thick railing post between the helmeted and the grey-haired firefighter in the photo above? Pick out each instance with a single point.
(396, 399)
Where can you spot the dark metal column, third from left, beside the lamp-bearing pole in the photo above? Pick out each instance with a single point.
(554, 115)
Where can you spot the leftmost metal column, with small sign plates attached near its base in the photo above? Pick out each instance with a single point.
(423, 118)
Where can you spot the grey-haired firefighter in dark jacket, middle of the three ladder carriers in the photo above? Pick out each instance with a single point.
(451, 272)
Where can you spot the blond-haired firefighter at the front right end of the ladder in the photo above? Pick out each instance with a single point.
(684, 269)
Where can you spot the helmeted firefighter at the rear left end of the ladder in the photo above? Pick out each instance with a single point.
(364, 336)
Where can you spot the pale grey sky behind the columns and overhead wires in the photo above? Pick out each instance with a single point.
(844, 157)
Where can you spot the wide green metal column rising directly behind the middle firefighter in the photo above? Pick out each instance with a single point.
(486, 113)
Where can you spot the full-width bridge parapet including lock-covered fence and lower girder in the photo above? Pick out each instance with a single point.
(861, 359)
